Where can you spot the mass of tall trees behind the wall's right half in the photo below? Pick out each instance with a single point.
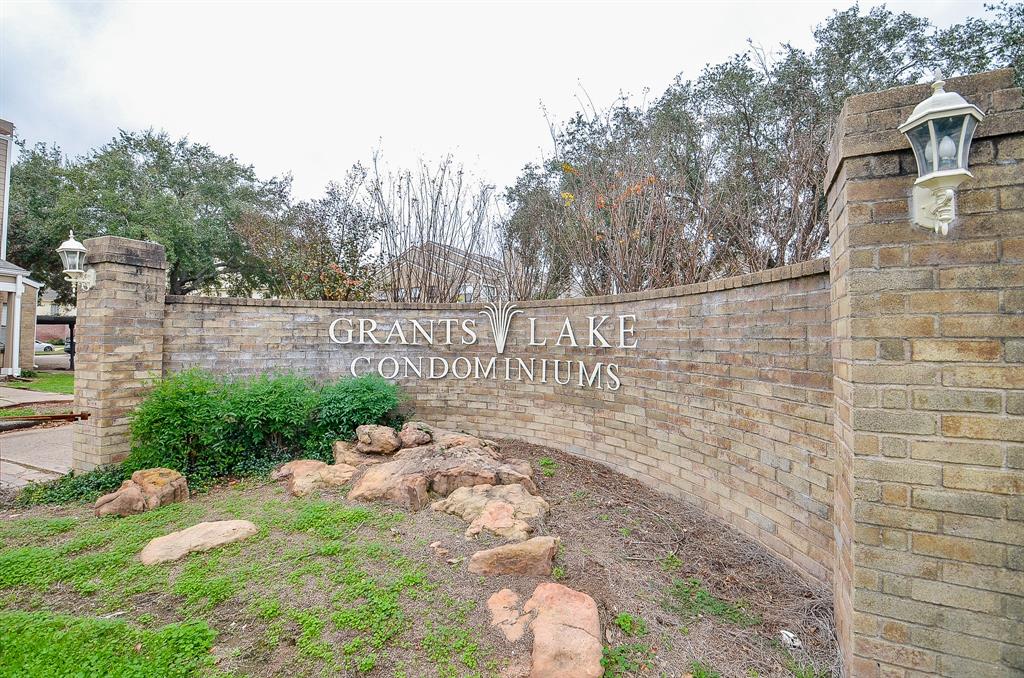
(723, 175)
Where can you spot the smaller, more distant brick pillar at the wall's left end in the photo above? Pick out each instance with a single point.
(120, 343)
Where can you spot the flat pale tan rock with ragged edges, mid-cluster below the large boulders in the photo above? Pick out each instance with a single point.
(502, 511)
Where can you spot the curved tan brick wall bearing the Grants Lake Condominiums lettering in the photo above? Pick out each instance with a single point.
(726, 401)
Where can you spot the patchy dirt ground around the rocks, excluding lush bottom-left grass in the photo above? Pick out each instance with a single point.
(275, 602)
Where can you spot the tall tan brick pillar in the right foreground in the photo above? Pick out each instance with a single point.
(929, 396)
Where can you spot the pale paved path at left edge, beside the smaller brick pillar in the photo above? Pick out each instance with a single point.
(35, 455)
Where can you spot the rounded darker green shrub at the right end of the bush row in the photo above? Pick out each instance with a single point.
(352, 403)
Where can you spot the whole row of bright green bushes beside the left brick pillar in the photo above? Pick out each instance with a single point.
(208, 429)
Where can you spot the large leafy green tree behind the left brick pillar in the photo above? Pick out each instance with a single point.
(148, 187)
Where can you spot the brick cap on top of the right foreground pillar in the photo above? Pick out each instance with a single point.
(867, 125)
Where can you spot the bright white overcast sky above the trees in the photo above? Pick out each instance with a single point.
(313, 88)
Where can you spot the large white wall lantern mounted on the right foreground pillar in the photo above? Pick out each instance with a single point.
(941, 131)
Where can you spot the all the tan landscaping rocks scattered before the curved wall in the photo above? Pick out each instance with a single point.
(416, 468)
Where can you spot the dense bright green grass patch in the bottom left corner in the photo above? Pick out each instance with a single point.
(44, 645)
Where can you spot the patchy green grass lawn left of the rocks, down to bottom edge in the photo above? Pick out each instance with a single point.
(323, 582)
